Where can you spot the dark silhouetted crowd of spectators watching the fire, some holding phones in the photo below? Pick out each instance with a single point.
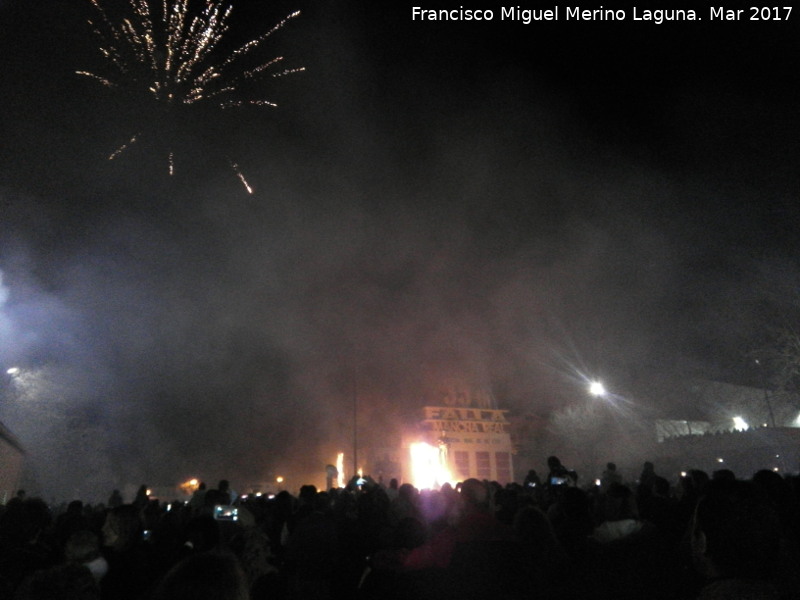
(703, 536)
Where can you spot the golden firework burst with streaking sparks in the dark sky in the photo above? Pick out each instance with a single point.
(174, 56)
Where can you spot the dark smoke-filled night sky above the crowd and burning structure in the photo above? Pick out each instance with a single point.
(510, 206)
